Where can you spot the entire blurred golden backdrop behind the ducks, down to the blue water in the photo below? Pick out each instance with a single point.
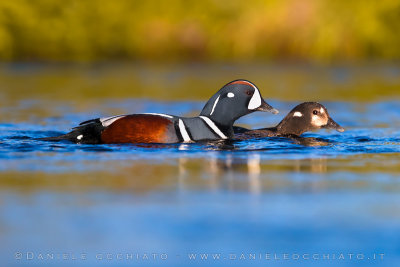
(172, 50)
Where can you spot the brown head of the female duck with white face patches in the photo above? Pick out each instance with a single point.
(306, 117)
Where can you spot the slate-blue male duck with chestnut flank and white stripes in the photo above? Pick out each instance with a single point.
(215, 122)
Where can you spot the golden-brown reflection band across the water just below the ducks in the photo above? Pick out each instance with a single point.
(251, 174)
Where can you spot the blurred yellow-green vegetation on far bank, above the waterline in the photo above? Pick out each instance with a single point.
(321, 31)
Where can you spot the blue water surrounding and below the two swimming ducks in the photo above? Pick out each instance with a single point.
(327, 193)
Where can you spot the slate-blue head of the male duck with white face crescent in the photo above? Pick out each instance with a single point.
(234, 100)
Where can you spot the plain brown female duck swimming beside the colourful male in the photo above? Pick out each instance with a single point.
(305, 117)
